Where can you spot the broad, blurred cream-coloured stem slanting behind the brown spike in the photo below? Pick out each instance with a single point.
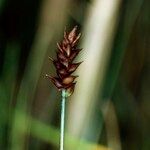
(86, 123)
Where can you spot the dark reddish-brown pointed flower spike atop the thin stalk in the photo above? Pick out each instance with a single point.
(67, 51)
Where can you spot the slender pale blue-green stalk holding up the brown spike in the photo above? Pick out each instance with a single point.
(62, 124)
